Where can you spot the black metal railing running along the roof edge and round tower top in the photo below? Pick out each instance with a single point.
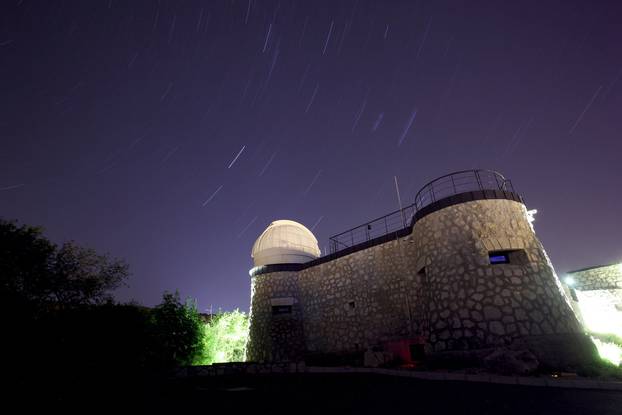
(440, 188)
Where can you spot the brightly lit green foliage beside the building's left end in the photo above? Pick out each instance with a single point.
(224, 340)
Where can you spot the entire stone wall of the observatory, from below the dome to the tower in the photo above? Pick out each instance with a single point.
(436, 284)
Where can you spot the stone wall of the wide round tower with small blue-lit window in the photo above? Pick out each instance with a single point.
(473, 303)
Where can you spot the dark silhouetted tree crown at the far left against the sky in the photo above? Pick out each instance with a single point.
(35, 271)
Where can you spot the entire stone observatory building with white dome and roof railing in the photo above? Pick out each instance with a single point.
(460, 269)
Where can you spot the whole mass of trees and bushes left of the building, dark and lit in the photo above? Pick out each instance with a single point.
(56, 309)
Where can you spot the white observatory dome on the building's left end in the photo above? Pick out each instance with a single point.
(285, 242)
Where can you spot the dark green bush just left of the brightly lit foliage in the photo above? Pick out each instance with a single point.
(177, 332)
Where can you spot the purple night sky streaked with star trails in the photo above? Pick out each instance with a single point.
(172, 133)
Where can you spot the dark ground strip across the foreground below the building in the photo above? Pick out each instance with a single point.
(291, 394)
